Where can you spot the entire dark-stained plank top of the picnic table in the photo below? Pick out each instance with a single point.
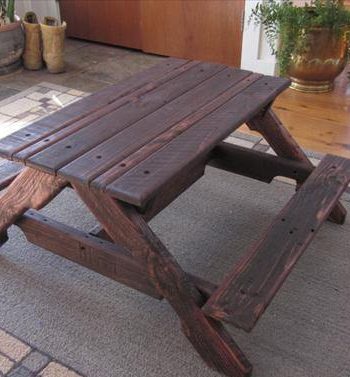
(134, 137)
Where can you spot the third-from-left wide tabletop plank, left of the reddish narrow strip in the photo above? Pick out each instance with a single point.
(130, 140)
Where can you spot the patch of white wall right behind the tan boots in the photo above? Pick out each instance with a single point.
(41, 7)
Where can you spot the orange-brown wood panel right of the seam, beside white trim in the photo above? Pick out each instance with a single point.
(205, 30)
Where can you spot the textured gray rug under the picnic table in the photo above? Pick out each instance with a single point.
(102, 329)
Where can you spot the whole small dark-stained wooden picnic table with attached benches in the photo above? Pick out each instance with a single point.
(130, 150)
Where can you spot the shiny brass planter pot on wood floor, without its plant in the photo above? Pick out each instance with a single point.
(325, 58)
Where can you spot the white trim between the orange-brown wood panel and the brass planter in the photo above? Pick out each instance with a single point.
(256, 54)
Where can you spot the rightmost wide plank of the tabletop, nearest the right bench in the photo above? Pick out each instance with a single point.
(140, 184)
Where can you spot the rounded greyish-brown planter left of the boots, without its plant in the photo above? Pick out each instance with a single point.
(11, 47)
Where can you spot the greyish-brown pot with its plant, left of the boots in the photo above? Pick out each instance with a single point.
(11, 37)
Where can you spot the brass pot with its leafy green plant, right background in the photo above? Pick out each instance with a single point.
(311, 42)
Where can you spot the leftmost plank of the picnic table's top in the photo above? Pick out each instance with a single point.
(78, 110)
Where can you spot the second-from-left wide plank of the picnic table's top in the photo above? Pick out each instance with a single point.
(71, 147)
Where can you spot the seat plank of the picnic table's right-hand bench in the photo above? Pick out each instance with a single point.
(249, 288)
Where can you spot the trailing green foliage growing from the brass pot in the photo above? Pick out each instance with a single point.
(287, 25)
